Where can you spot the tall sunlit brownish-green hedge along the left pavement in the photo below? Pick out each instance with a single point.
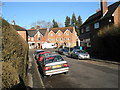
(14, 56)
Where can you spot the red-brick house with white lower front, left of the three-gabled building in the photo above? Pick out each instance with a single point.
(36, 37)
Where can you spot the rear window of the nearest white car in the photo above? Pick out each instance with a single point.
(53, 59)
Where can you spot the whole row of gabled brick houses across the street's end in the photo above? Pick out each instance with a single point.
(66, 37)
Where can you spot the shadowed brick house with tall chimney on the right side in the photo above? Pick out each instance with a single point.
(104, 17)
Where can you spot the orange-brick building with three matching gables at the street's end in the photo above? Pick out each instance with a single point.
(65, 36)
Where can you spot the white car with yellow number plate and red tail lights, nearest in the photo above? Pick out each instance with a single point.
(54, 64)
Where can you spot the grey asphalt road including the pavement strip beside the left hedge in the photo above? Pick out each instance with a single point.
(82, 74)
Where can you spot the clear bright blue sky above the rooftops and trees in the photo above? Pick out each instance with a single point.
(25, 13)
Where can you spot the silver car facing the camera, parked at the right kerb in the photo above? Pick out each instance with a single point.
(80, 54)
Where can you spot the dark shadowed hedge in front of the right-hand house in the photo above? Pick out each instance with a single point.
(109, 43)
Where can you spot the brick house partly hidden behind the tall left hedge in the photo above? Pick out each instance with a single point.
(21, 31)
